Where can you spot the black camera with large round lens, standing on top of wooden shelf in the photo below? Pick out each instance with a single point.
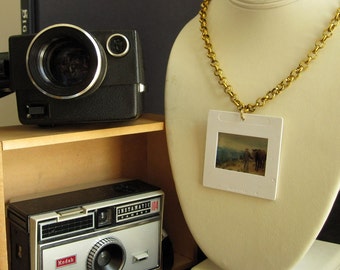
(64, 74)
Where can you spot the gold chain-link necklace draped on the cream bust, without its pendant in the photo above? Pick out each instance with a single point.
(293, 75)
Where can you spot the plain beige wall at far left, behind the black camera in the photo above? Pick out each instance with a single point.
(9, 25)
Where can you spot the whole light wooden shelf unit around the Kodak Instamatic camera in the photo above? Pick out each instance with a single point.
(36, 160)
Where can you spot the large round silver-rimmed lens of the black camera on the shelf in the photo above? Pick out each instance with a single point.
(64, 61)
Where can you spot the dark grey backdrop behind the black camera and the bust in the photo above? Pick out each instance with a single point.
(158, 23)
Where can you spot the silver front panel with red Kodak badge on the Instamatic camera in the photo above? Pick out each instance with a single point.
(140, 245)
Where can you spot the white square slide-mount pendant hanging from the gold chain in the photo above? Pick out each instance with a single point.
(243, 155)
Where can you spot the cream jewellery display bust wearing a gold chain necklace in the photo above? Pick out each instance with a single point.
(257, 44)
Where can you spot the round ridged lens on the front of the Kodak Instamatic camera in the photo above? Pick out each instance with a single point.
(108, 253)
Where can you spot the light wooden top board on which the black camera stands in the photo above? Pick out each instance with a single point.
(19, 137)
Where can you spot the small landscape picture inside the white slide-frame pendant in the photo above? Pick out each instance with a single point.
(241, 153)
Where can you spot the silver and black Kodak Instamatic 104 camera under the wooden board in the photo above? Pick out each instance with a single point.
(110, 227)
